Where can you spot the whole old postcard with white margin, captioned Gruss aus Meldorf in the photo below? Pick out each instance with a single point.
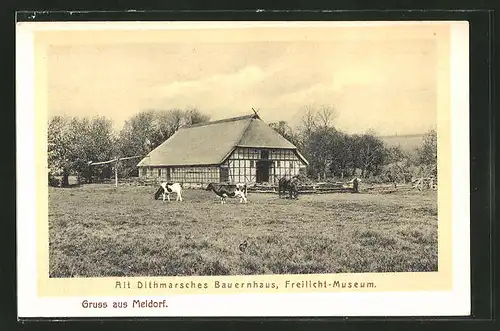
(243, 168)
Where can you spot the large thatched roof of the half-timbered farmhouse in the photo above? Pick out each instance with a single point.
(212, 142)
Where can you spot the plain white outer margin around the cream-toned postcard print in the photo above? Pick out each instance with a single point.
(453, 303)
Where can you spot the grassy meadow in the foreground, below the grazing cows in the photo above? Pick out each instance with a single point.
(100, 230)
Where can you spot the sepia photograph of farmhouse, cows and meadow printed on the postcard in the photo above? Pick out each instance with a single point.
(244, 155)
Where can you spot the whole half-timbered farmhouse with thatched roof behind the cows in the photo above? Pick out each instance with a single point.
(235, 150)
